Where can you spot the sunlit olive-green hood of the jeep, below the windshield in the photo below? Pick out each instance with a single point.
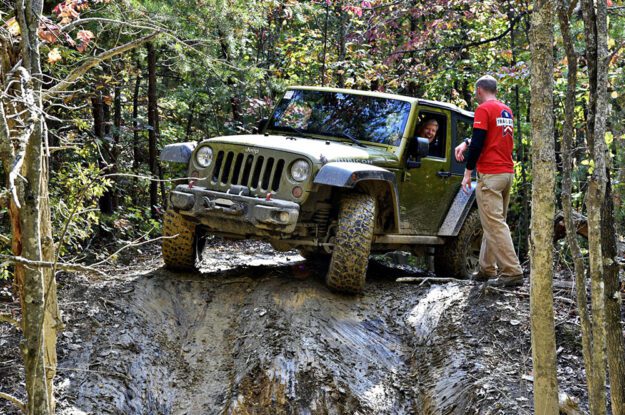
(318, 150)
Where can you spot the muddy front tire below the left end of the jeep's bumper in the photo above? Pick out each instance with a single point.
(179, 253)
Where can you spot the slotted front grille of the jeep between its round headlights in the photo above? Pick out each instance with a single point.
(254, 171)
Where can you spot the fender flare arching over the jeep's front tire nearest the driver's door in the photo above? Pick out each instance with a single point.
(349, 175)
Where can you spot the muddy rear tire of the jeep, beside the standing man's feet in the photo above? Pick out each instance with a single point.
(460, 256)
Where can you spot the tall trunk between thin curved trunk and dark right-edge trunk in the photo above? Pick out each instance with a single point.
(596, 35)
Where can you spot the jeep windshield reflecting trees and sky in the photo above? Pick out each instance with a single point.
(333, 114)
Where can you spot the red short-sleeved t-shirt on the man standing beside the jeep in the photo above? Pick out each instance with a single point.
(496, 118)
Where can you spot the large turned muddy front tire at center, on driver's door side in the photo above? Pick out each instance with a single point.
(350, 258)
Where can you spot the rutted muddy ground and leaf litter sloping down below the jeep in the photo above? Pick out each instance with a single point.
(257, 332)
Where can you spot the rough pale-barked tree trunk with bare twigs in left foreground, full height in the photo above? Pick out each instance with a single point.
(38, 289)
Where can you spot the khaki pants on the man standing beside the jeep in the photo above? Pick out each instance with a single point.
(497, 251)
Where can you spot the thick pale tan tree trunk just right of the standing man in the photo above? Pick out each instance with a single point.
(543, 210)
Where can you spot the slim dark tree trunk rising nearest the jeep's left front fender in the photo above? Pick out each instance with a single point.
(153, 122)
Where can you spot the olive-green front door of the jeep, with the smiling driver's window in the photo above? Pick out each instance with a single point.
(426, 192)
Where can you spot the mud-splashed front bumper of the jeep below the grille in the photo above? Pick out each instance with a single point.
(235, 214)
